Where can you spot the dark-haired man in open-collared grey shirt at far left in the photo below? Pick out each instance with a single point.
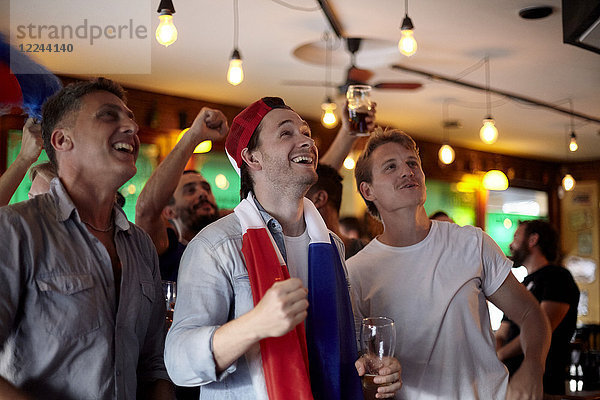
(82, 310)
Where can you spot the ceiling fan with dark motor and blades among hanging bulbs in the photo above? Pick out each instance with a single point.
(357, 76)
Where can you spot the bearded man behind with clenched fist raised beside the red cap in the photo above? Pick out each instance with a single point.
(184, 198)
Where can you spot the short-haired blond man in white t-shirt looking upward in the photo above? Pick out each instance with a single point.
(433, 279)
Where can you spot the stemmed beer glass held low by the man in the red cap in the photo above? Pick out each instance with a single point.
(377, 342)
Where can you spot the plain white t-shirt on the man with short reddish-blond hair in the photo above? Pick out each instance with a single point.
(435, 291)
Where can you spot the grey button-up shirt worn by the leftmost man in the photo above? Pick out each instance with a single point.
(61, 334)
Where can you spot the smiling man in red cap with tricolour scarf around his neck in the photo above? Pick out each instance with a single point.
(263, 309)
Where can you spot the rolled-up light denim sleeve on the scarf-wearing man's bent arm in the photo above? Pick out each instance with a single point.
(204, 301)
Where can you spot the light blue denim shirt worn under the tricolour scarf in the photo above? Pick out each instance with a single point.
(214, 288)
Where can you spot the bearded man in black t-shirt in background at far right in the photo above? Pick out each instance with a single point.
(535, 246)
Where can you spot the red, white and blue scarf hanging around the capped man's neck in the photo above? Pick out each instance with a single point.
(317, 364)
